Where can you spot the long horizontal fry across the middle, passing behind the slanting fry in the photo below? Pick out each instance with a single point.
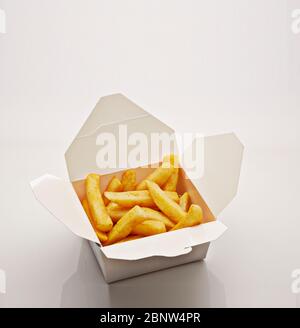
(137, 197)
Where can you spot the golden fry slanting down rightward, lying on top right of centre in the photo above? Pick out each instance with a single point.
(164, 203)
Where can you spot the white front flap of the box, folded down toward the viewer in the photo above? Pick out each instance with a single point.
(170, 244)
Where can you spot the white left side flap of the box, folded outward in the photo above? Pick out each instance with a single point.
(60, 199)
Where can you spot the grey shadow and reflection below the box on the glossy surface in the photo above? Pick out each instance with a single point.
(190, 285)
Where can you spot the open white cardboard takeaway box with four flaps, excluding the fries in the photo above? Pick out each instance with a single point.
(222, 159)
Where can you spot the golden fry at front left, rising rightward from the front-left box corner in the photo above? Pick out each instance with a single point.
(125, 225)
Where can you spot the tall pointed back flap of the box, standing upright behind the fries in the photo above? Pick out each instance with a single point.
(117, 126)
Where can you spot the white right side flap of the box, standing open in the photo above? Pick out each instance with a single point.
(222, 159)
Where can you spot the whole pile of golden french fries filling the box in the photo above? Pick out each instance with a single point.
(128, 210)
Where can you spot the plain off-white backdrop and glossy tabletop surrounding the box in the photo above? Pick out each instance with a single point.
(216, 66)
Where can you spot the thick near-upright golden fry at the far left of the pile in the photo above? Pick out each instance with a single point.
(100, 216)
